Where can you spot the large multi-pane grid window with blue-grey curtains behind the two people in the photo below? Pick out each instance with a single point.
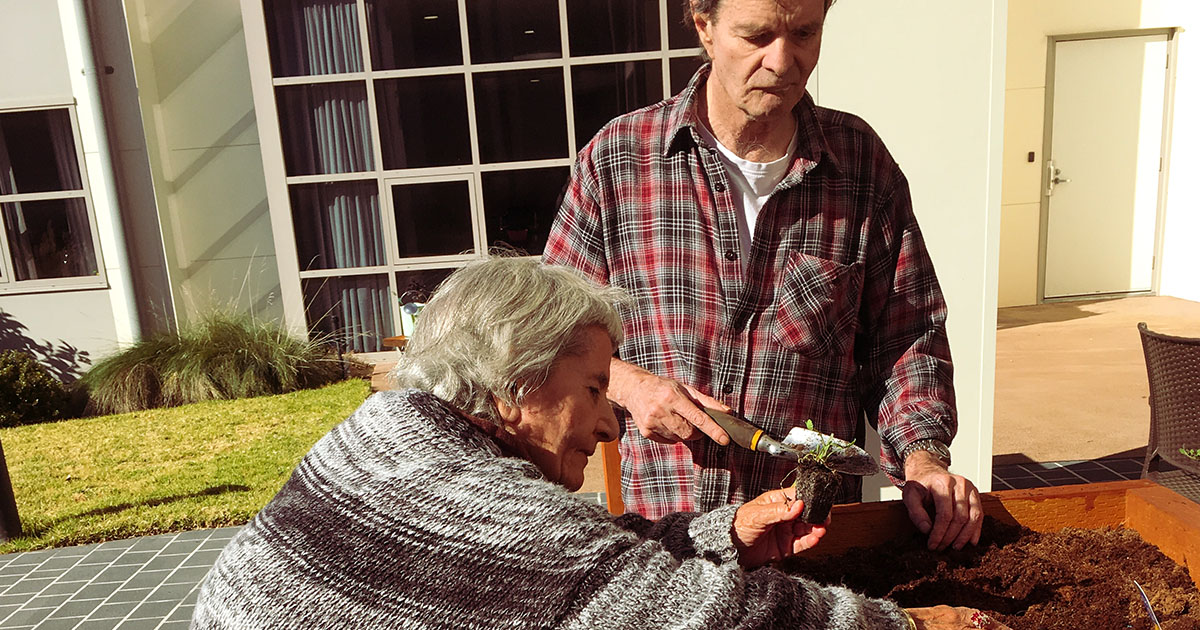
(419, 134)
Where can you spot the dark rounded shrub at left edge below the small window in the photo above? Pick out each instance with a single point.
(28, 392)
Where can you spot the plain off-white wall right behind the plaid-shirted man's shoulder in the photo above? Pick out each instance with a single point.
(929, 77)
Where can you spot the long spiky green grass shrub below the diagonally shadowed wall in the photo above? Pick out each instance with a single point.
(221, 357)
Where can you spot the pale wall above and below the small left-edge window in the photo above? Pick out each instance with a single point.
(65, 329)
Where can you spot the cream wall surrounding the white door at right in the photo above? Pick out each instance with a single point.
(1030, 25)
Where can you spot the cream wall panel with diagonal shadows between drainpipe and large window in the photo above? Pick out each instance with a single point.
(199, 119)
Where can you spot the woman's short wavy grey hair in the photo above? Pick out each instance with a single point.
(499, 327)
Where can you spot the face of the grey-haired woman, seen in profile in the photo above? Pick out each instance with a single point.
(562, 422)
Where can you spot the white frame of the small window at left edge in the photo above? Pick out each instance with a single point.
(9, 284)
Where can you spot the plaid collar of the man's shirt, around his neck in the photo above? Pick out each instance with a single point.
(683, 122)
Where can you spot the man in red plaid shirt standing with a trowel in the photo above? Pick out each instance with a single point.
(777, 269)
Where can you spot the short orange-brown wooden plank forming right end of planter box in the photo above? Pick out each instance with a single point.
(1168, 521)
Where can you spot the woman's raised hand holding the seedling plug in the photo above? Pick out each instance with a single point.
(766, 530)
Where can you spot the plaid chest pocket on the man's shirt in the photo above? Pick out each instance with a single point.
(818, 305)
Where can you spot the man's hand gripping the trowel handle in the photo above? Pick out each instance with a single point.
(664, 411)
